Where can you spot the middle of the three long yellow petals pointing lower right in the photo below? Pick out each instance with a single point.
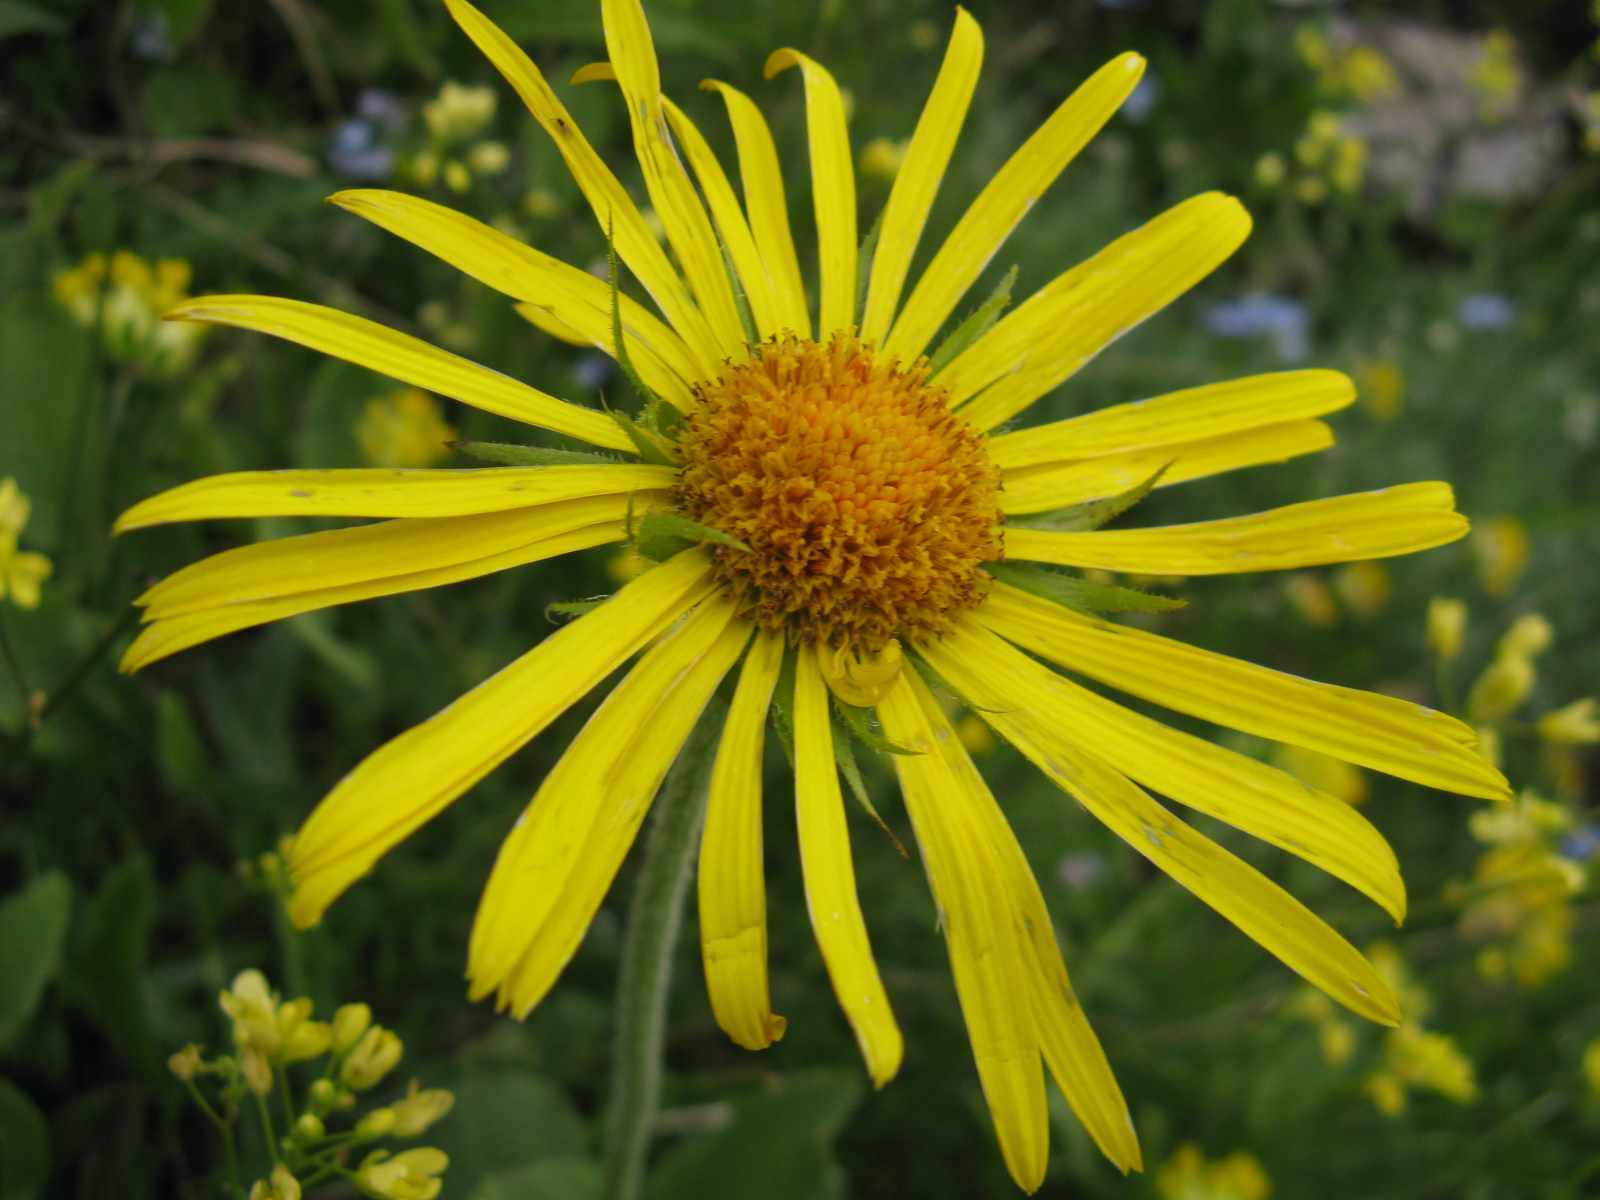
(1244, 793)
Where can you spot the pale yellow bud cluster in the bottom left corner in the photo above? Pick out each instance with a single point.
(271, 1034)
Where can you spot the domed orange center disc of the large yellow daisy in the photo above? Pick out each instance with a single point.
(868, 505)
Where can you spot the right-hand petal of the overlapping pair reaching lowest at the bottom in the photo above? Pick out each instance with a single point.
(1071, 1049)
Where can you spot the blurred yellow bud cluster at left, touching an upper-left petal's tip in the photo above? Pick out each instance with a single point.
(124, 297)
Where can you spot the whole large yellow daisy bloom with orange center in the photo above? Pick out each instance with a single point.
(862, 530)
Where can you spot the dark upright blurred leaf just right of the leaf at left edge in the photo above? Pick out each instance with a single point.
(110, 977)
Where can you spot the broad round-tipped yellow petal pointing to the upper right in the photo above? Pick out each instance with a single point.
(1084, 311)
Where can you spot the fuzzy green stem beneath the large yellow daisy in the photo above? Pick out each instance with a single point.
(654, 922)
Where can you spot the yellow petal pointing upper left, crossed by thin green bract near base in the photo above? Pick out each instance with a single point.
(575, 298)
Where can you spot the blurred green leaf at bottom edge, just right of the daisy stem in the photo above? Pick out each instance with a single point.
(777, 1146)
